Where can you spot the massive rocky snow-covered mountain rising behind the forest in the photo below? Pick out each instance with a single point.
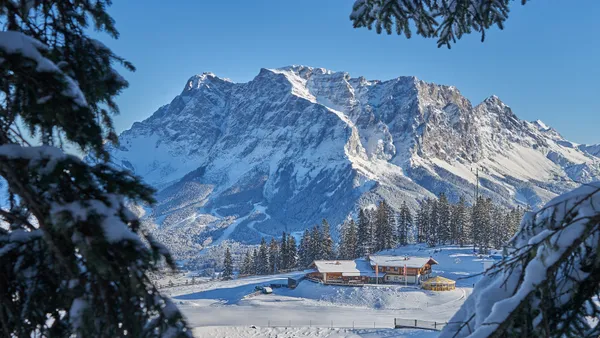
(296, 144)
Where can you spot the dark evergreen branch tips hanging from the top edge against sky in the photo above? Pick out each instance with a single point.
(446, 21)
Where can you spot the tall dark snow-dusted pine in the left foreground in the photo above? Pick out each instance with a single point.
(74, 260)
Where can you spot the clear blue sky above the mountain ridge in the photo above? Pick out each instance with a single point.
(545, 64)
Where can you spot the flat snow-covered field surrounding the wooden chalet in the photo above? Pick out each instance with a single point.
(230, 308)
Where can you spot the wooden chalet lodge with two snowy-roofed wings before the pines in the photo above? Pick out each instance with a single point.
(375, 270)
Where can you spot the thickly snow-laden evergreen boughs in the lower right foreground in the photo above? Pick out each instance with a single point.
(549, 282)
